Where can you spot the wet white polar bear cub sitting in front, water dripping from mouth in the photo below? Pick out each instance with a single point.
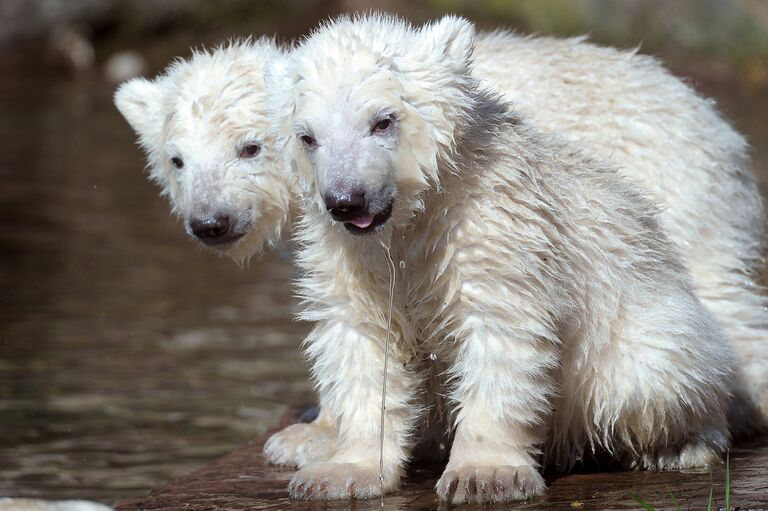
(561, 316)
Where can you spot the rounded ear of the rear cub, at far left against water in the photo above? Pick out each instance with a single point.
(140, 102)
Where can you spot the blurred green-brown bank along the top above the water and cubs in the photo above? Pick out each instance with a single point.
(714, 39)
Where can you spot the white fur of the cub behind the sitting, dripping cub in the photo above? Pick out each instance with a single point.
(616, 104)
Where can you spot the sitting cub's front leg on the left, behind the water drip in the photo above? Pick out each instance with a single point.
(348, 365)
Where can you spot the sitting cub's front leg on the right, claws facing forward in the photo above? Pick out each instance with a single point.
(502, 374)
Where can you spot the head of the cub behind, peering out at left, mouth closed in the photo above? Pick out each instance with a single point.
(203, 124)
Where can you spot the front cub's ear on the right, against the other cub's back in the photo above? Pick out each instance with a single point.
(453, 38)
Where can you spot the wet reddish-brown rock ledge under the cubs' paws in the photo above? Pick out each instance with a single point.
(242, 480)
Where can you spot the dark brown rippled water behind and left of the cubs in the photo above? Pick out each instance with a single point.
(127, 354)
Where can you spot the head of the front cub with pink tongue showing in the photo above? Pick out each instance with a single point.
(372, 108)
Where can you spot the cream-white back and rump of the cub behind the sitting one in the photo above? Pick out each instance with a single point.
(626, 108)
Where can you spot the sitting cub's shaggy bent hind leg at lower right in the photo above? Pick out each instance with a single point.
(658, 395)
